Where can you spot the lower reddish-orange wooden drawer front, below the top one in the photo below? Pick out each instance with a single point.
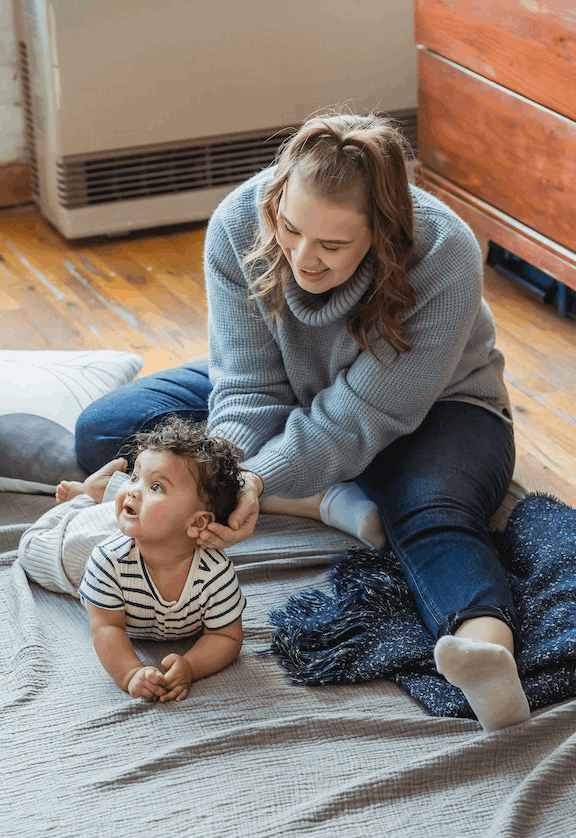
(515, 155)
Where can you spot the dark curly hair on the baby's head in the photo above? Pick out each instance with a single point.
(220, 477)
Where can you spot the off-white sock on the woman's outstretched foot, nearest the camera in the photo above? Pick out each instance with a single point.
(487, 675)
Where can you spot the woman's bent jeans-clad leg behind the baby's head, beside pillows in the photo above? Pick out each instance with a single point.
(103, 428)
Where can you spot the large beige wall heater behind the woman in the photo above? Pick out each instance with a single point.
(140, 114)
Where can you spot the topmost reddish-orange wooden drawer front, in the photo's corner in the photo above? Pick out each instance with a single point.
(524, 45)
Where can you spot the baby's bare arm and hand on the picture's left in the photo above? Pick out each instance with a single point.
(117, 656)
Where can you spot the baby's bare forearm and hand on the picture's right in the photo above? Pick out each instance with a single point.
(213, 651)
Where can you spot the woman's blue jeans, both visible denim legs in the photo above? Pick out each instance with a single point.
(435, 489)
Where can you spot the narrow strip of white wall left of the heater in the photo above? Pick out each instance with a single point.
(11, 123)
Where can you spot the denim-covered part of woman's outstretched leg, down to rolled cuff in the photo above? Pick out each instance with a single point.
(436, 489)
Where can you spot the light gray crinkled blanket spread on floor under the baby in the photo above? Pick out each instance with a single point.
(248, 755)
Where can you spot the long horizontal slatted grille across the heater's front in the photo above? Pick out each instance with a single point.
(153, 171)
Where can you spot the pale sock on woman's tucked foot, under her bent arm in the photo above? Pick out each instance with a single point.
(346, 507)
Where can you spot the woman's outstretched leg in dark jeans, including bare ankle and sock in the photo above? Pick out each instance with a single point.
(436, 489)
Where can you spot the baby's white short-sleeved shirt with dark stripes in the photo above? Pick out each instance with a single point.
(116, 577)
